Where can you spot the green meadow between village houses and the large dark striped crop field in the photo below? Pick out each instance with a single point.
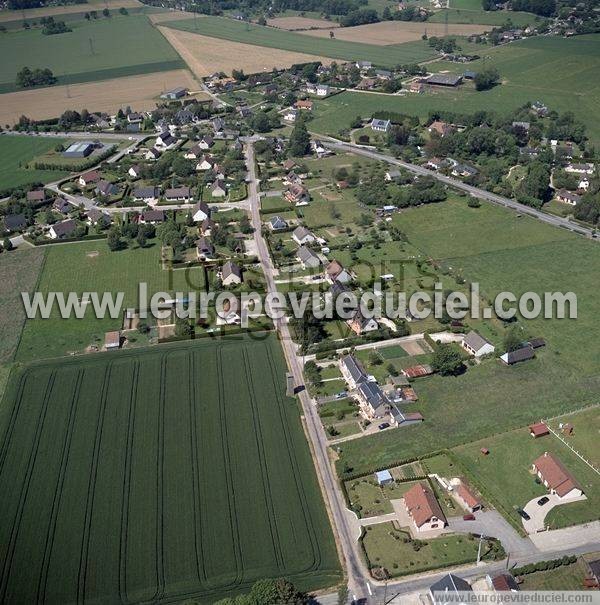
(92, 267)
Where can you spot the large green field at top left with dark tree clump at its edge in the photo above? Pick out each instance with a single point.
(94, 50)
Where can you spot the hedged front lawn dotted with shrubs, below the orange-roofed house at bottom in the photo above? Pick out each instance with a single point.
(392, 549)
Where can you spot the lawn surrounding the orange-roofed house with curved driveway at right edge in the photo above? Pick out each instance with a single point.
(504, 479)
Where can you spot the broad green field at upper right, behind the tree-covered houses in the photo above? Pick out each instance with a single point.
(557, 71)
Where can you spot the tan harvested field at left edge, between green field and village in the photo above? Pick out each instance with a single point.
(139, 92)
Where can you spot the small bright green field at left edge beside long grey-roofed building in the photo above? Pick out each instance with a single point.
(16, 152)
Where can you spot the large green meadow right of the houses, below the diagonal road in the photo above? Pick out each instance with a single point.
(564, 375)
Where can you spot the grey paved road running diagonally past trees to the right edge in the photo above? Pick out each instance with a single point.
(475, 191)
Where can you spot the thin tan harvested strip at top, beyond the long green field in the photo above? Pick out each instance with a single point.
(386, 33)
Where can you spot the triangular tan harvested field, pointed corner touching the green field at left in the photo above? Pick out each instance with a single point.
(205, 55)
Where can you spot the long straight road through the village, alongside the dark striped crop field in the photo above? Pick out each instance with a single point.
(357, 578)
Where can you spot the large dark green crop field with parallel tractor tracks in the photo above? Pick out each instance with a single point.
(159, 476)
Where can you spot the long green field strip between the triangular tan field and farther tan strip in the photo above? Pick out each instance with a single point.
(230, 29)
